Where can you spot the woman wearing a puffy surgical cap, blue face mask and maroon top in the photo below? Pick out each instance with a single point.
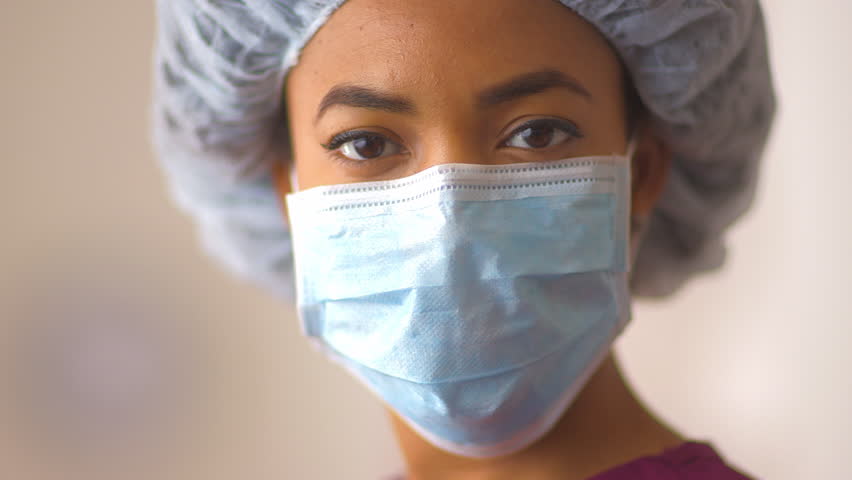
(473, 191)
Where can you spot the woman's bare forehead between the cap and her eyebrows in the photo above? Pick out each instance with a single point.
(451, 48)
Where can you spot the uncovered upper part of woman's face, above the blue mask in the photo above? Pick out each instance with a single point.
(388, 88)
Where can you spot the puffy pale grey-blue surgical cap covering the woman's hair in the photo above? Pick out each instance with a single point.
(700, 68)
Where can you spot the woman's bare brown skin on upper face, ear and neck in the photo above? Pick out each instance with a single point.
(439, 57)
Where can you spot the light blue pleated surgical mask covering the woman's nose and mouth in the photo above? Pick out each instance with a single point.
(474, 300)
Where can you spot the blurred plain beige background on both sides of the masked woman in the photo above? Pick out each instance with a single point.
(125, 353)
